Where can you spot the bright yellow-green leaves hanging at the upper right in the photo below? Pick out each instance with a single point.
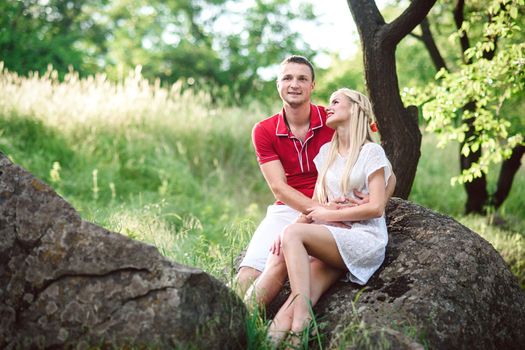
(489, 75)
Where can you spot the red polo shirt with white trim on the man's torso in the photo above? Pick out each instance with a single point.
(273, 140)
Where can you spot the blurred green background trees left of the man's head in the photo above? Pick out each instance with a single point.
(217, 45)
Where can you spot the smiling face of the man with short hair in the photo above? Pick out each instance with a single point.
(295, 84)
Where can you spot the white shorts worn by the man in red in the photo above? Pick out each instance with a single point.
(277, 218)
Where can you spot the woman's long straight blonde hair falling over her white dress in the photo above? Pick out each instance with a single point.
(361, 118)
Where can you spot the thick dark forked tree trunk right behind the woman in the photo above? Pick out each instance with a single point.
(398, 125)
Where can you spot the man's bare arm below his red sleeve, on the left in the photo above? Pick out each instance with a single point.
(275, 177)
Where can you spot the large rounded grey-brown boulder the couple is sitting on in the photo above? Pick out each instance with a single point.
(441, 285)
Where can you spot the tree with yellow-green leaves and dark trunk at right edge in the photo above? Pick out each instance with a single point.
(478, 95)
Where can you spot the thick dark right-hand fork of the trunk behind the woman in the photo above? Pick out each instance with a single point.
(395, 31)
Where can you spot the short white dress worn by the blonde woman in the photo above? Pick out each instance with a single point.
(362, 246)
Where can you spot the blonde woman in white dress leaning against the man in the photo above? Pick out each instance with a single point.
(318, 245)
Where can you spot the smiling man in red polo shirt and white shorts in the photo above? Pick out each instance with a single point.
(285, 145)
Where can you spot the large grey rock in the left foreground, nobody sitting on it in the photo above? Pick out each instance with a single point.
(67, 283)
